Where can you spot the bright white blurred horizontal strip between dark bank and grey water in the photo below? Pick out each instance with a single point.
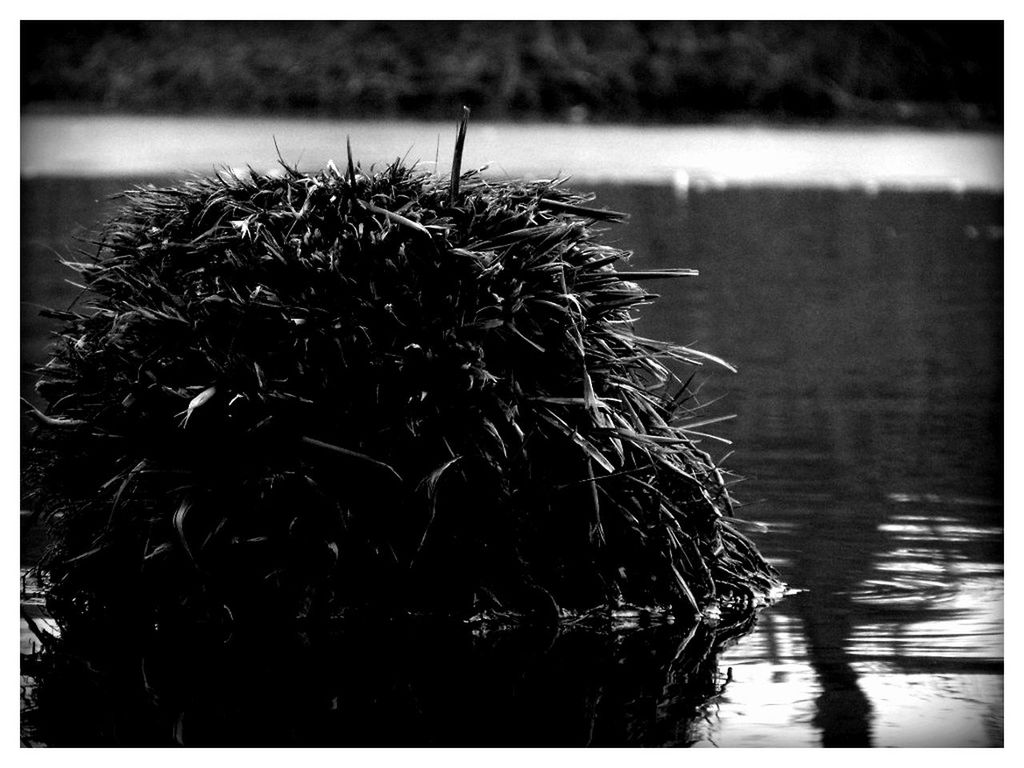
(685, 157)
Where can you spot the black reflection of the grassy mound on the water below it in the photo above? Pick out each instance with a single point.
(412, 684)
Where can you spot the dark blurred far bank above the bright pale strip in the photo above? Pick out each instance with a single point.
(942, 74)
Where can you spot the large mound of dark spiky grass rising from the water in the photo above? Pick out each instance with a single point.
(305, 395)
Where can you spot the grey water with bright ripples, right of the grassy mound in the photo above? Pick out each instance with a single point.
(868, 331)
